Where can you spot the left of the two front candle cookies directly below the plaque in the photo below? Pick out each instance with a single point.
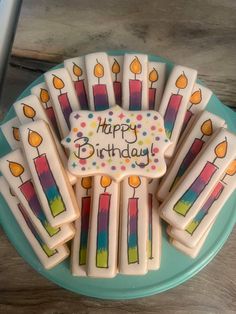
(103, 231)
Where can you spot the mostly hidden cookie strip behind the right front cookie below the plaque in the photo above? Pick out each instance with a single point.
(154, 226)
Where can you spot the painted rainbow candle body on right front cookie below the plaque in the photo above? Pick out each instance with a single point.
(133, 254)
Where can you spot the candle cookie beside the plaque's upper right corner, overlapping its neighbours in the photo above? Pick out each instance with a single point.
(174, 102)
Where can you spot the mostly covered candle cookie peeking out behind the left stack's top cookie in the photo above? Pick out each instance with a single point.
(29, 109)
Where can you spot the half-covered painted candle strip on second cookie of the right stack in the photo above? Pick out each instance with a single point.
(215, 194)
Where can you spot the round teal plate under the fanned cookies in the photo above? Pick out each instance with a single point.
(175, 266)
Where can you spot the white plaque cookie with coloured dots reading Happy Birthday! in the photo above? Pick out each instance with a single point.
(117, 142)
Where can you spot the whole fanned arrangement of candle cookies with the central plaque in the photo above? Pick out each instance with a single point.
(102, 150)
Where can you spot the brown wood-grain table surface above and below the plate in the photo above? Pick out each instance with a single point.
(200, 34)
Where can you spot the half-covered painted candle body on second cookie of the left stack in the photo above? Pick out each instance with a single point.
(30, 195)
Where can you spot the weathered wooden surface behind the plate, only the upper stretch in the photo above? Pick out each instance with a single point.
(200, 34)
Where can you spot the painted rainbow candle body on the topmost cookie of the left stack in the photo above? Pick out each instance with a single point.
(48, 183)
